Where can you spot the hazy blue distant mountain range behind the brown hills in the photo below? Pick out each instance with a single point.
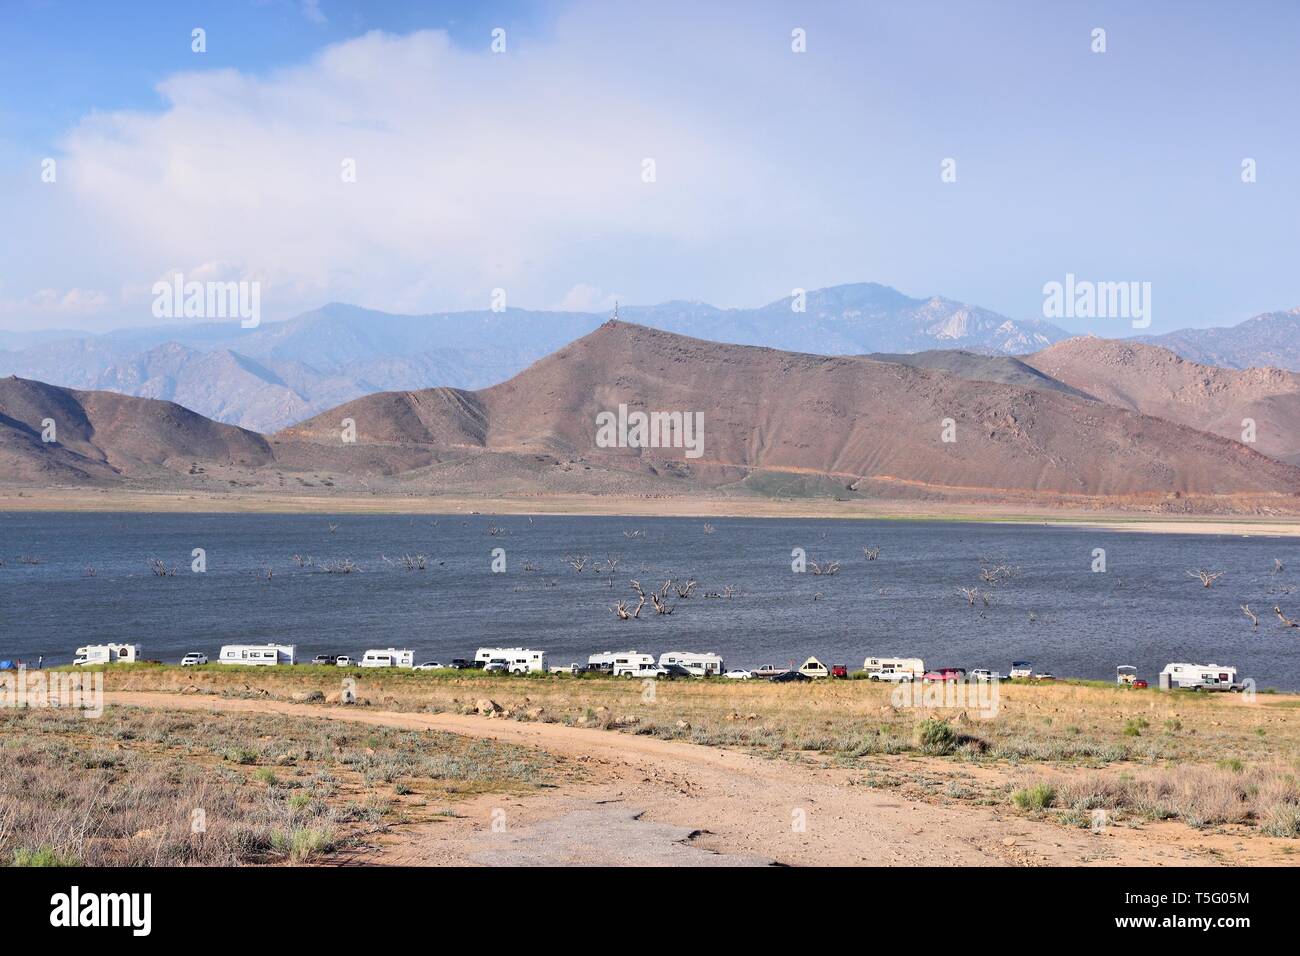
(284, 373)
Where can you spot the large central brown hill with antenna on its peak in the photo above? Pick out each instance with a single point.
(772, 412)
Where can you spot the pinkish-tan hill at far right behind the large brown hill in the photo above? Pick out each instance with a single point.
(1155, 382)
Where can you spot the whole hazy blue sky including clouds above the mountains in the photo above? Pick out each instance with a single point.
(525, 170)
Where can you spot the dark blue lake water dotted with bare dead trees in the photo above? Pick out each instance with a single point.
(1055, 611)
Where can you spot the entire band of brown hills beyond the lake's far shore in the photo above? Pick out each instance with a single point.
(775, 423)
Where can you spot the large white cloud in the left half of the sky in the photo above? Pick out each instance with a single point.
(474, 171)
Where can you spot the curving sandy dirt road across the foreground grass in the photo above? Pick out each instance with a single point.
(652, 802)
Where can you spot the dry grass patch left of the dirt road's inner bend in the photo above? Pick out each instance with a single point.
(125, 789)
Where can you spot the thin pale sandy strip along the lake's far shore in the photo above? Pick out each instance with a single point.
(107, 500)
